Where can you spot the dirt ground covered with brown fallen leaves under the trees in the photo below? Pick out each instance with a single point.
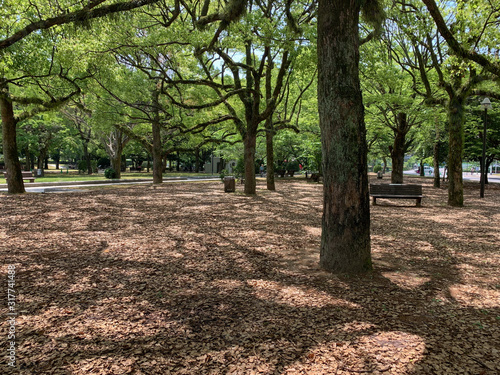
(186, 279)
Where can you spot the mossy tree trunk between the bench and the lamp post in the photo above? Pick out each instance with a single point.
(456, 143)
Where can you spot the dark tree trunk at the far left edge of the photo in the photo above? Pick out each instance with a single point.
(15, 184)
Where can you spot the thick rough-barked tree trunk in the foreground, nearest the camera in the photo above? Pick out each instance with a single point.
(345, 240)
